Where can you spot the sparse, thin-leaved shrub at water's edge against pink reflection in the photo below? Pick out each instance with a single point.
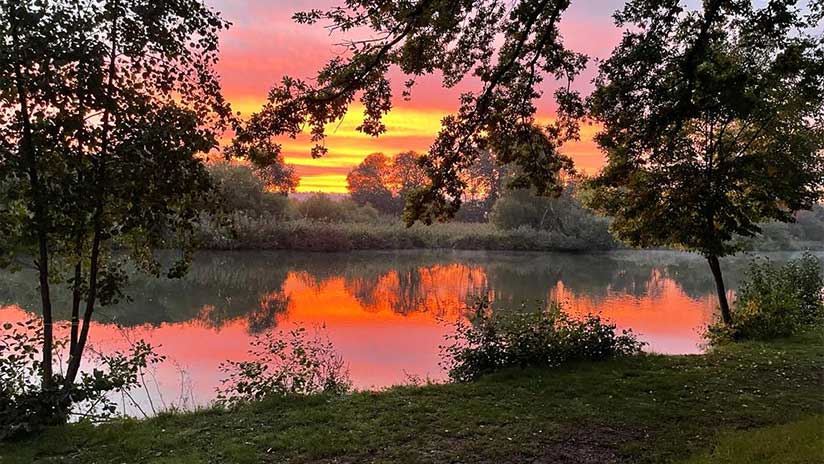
(284, 364)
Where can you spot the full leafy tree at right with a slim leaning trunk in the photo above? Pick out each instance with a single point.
(713, 121)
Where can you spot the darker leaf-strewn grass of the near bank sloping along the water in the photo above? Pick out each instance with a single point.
(640, 410)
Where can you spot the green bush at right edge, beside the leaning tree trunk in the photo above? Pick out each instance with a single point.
(774, 301)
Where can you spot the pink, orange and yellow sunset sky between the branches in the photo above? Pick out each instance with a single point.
(264, 44)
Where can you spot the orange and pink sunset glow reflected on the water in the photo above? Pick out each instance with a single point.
(391, 323)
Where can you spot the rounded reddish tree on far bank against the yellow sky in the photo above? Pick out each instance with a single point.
(385, 182)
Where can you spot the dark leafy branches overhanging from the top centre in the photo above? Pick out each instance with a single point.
(510, 47)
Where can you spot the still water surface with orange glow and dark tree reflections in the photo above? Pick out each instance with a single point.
(385, 312)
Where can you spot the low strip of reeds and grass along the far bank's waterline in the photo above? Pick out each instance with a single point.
(267, 233)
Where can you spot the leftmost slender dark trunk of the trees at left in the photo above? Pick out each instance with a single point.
(39, 210)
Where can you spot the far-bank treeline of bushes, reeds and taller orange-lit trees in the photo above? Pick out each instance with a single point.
(255, 215)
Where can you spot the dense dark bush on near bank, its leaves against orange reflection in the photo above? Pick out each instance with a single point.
(491, 342)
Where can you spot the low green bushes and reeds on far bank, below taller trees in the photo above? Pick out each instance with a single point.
(257, 218)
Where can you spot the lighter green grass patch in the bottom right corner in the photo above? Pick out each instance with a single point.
(799, 442)
